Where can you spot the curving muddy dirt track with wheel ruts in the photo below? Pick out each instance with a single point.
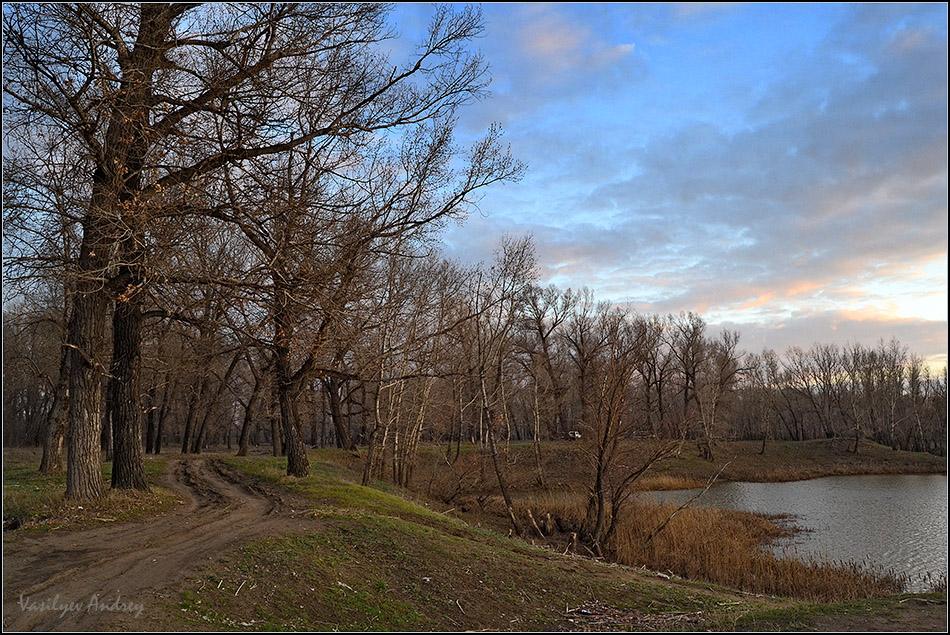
(96, 579)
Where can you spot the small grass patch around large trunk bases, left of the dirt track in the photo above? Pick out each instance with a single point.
(35, 501)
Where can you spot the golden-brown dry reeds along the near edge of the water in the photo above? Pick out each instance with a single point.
(724, 547)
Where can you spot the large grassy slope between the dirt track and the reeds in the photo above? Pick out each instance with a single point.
(380, 562)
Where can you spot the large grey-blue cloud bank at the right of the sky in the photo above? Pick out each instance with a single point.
(811, 195)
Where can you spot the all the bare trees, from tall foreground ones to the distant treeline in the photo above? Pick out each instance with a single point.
(220, 226)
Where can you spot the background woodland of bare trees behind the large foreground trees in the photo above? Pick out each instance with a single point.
(439, 352)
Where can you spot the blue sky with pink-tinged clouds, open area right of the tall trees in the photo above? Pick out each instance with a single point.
(780, 169)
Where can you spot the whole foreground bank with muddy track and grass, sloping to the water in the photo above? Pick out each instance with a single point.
(322, 553)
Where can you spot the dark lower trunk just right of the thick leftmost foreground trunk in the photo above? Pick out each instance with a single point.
(128, 463)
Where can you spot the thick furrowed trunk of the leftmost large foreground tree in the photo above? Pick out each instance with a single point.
(115, 184)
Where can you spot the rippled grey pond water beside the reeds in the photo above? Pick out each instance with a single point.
(893, 522)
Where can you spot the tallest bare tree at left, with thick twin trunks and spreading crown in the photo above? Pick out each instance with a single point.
(162, 96)
